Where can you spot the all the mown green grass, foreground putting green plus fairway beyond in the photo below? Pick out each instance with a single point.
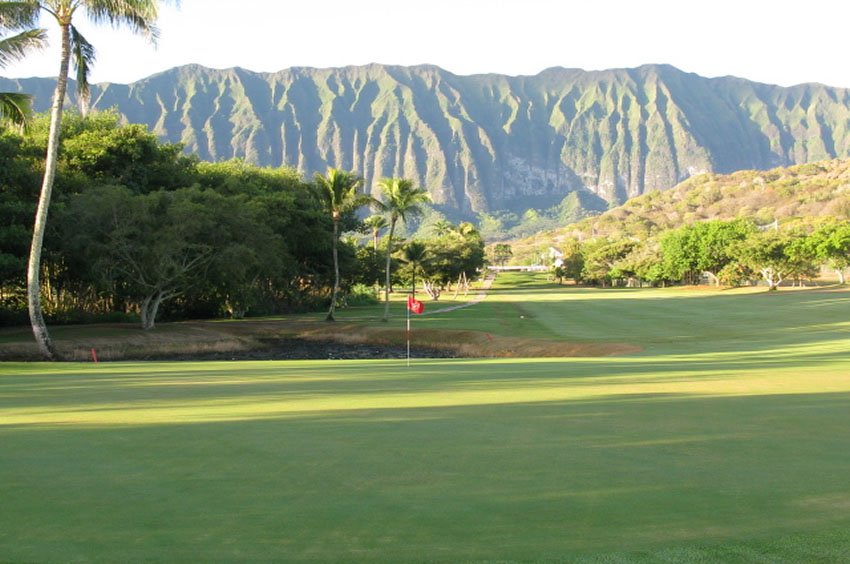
(724, 444)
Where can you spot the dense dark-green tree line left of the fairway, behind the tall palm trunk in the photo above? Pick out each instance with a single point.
(140, 230)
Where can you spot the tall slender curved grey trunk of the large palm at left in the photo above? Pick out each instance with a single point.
(39, 328)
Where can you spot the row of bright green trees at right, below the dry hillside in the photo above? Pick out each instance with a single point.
(722, 252)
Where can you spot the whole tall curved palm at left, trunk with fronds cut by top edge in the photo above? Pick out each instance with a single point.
(139, 16)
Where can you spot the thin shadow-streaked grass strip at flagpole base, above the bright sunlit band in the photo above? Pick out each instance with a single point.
(211, 380)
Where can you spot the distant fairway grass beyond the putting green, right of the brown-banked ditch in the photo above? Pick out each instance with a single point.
(683, 320)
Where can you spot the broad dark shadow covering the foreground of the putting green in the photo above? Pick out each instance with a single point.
(517, 480)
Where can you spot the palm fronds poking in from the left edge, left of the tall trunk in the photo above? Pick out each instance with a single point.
(21, 17)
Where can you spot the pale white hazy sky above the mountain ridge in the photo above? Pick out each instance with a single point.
(781, 42)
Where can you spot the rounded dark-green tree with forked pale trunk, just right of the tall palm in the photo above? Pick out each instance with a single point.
(150, 247)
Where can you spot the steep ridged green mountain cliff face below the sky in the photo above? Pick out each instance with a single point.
(487, 142)
